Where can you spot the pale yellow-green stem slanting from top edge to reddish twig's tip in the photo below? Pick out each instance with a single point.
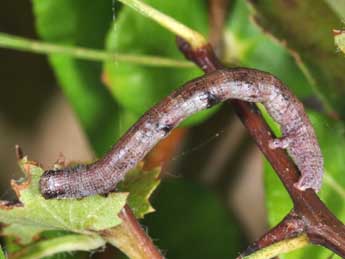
(194, 38)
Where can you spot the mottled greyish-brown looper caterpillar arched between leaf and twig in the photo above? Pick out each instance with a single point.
(244, 84)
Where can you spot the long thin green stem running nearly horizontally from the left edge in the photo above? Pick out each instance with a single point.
(19, 43)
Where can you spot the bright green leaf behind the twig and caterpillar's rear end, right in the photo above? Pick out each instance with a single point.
(331, 138)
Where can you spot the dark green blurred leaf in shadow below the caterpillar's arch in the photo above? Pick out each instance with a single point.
(190, 222)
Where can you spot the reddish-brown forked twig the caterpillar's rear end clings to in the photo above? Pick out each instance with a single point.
(309, 215)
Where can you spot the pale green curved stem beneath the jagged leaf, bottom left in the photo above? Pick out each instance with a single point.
(60, 244)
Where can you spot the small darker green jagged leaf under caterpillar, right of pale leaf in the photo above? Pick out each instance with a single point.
(140, 184)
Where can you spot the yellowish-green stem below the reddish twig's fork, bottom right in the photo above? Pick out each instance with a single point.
(278, 248)
